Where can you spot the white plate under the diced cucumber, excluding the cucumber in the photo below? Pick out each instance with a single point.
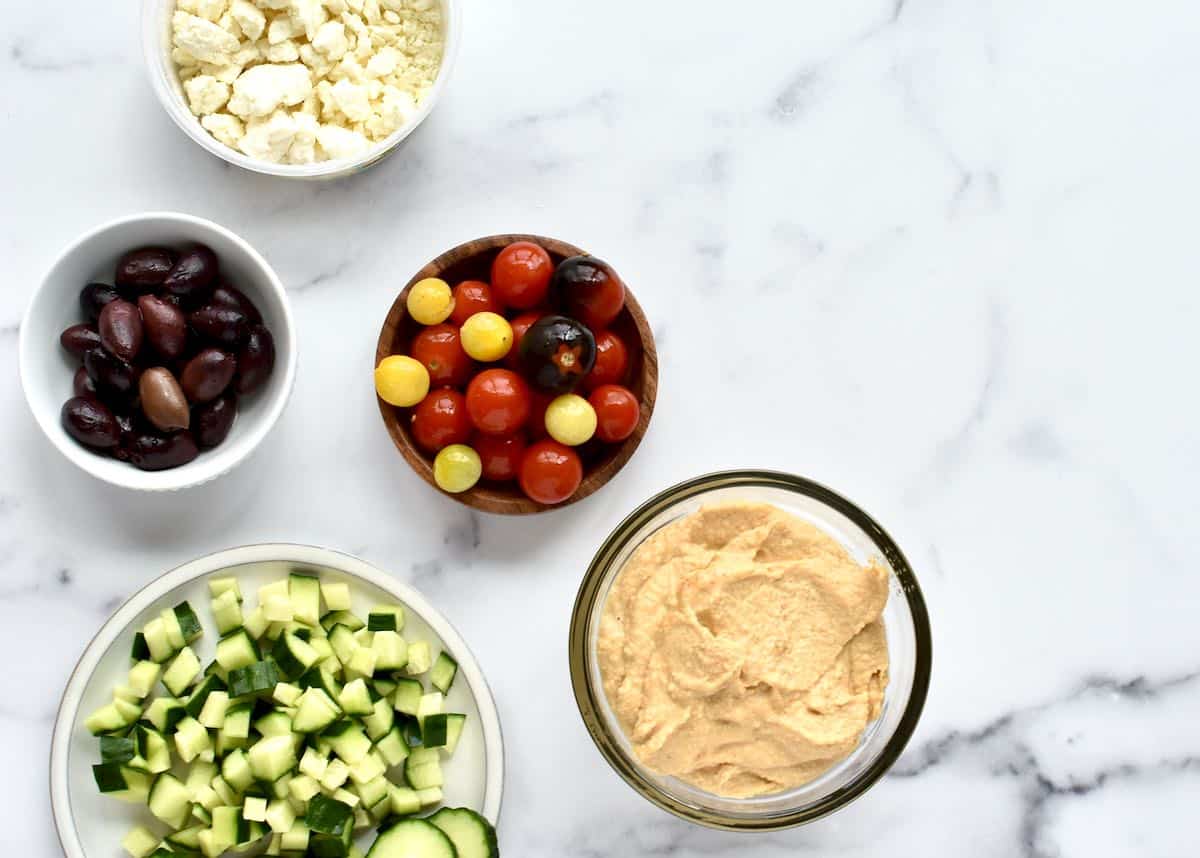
(92, 826)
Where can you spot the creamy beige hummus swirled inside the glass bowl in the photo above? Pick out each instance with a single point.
(742, 650)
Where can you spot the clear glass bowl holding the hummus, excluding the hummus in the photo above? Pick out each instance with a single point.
(905, 621)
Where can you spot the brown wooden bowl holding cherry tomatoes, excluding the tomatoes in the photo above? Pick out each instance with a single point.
(473, 261)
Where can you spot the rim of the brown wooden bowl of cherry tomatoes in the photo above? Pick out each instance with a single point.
(484, 497)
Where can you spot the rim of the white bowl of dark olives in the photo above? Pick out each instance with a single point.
(161, 481)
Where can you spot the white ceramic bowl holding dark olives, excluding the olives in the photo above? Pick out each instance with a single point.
(46, 370)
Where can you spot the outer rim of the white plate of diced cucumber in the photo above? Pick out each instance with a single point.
(117, 626)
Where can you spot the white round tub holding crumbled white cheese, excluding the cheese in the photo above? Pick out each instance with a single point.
(157, 46)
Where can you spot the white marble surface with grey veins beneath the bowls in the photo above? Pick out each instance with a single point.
(939, 255)
